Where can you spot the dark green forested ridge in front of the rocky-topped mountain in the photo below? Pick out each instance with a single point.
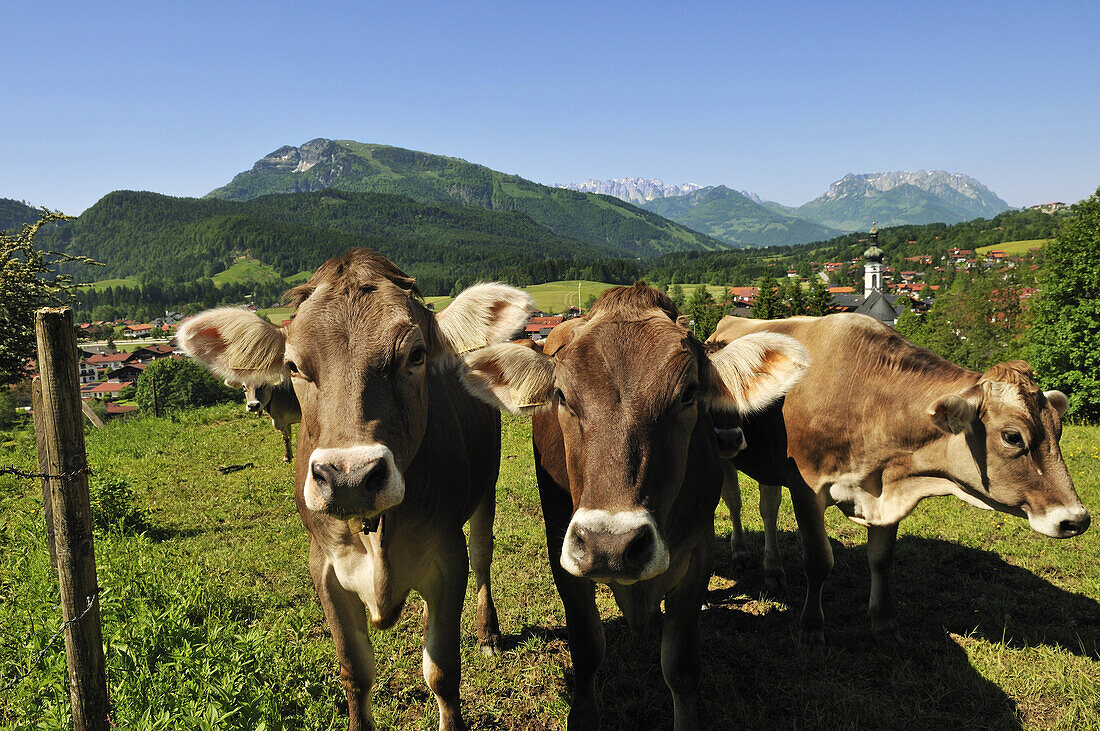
(149, 236)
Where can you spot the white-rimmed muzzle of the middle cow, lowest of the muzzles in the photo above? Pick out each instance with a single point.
(623, 547)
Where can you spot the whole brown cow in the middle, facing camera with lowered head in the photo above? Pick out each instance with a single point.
(629, 467)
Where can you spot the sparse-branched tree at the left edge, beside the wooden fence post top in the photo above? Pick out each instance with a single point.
(28, 282)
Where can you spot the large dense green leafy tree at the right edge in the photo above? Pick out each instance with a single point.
(1065, 334)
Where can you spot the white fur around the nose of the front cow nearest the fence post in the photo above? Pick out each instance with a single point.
(322, 499)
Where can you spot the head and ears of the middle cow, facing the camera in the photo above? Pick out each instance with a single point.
(626, 385)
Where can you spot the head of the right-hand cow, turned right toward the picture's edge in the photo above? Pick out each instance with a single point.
(1005, 449)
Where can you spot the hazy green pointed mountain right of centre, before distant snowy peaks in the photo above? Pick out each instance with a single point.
(736, 219)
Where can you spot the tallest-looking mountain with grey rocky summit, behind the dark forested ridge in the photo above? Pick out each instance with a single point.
(596, 220)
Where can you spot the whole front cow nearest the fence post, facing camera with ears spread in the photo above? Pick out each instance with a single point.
(394, 455)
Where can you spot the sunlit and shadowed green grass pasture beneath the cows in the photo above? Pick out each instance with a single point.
(211, 621)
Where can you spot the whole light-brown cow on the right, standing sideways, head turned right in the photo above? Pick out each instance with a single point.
(876, 426)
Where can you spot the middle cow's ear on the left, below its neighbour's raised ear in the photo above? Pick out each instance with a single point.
(511, 376)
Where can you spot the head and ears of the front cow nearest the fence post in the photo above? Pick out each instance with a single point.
(359, 352)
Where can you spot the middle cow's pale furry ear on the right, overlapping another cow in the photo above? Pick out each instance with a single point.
(752, 372)
